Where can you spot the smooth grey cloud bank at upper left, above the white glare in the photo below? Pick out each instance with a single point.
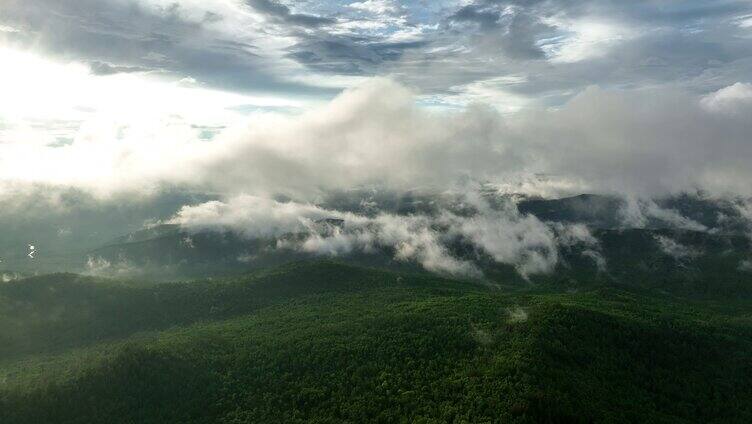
(214, 42)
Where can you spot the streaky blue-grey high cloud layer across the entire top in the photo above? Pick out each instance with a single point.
(267, 45)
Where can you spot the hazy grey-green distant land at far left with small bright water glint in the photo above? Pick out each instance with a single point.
(63, 224)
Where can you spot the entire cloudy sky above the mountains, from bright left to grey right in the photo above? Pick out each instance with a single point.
(646, 97)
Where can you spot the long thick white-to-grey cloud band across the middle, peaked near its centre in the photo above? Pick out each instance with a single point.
(642, 143)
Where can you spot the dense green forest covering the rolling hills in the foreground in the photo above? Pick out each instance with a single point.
(325, 342)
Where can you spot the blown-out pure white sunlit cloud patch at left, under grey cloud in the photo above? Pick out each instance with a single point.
(35, 88)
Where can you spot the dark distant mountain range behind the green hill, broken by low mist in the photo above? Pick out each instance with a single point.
(686, 240)
